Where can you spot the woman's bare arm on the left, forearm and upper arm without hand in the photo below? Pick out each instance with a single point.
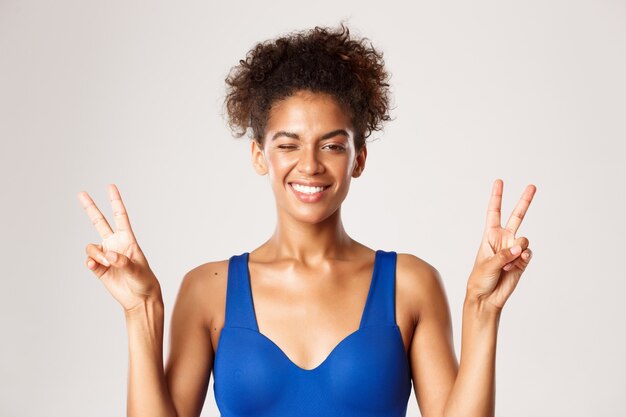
(178, 390)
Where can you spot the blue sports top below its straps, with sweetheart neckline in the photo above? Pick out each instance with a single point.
(366, 374)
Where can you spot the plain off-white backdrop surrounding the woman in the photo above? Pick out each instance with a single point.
(130, 92)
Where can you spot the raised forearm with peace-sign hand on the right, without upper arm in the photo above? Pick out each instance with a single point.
(498, 267)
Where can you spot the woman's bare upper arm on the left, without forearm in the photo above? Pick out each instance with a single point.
(190, 359)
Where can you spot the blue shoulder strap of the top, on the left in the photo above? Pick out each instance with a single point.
(239, 306)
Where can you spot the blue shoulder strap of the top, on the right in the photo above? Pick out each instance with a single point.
(381, 304)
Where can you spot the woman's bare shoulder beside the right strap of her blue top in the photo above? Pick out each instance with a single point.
(418, 284)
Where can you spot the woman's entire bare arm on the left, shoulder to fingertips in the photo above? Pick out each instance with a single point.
(122, 267)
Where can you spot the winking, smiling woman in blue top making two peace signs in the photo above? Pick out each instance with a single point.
(311, 322)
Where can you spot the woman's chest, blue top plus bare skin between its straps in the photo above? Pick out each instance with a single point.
(349, 355)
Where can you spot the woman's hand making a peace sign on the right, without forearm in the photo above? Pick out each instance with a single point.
(501, 258)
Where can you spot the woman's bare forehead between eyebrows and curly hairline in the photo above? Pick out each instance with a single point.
(307, 110)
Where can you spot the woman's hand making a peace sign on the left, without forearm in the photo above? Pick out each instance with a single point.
(118, 261)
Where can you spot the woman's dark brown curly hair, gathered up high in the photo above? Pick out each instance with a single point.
(319, 60)
